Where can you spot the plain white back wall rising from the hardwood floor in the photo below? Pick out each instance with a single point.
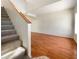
(57, 23)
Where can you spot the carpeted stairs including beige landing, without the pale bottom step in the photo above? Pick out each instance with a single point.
(9, 37)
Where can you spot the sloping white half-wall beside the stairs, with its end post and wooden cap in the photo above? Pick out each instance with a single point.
(22, 26)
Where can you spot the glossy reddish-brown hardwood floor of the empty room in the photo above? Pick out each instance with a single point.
(53, 47)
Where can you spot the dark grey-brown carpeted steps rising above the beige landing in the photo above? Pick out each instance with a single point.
(8, 32)
